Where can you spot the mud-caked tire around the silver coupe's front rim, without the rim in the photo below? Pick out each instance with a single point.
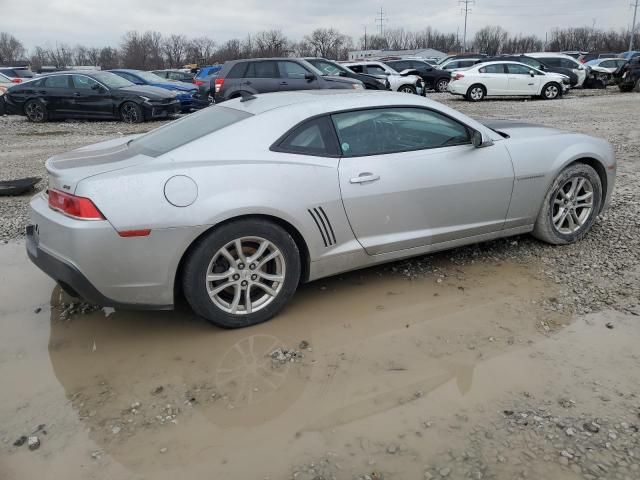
(545, 228)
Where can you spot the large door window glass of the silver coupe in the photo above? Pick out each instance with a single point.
(389, 130)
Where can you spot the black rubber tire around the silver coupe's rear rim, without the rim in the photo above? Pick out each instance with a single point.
(196, 267)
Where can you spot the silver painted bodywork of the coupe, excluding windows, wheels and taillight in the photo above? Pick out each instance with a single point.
(424, 201)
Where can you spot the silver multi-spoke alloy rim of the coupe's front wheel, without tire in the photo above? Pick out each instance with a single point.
(572, 205)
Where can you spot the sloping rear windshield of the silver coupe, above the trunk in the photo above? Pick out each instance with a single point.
(185, 130)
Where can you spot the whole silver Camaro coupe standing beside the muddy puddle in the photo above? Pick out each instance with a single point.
(234, 206)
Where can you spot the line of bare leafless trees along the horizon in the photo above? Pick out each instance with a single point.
(153, 50)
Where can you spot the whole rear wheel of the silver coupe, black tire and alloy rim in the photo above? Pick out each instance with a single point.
(242, 273)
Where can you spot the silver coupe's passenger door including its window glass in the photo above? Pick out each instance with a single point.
(410, 177)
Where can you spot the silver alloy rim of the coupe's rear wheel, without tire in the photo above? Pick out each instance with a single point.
(245, 275)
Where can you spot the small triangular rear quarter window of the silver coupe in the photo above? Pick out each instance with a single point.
(311, 138)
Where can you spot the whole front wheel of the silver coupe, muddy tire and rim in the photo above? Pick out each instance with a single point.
(570, 206)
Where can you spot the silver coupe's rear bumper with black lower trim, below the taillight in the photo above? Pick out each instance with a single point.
(91, 258)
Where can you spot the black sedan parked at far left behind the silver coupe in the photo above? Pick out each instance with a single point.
(89, 94)
